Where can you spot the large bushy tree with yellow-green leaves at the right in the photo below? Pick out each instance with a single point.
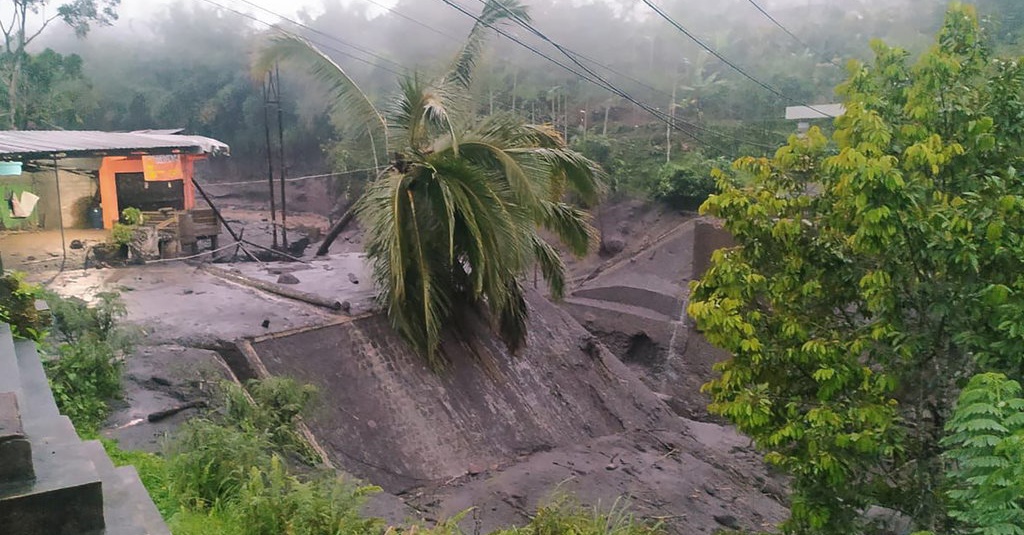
(873, 276)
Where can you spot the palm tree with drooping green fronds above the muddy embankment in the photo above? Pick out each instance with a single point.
(452, 220)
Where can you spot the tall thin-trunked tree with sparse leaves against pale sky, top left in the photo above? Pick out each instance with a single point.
(20, 32)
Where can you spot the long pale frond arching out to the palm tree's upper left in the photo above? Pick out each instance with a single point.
(350, 99)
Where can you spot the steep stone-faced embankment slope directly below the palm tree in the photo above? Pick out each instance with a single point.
(386, 417)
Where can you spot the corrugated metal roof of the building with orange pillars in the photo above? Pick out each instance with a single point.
(23, 145)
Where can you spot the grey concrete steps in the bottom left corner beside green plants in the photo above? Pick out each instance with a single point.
(76, 489)
